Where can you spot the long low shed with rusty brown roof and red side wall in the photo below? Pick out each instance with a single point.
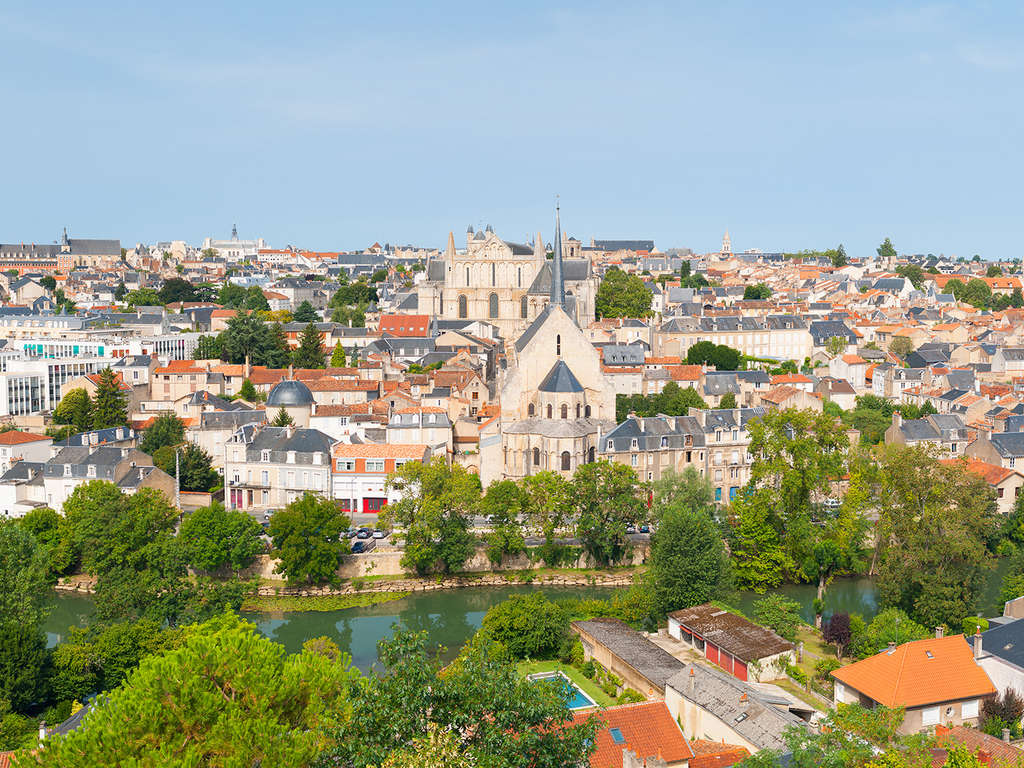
(739, 647)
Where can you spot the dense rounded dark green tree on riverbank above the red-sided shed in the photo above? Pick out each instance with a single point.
(689, 562)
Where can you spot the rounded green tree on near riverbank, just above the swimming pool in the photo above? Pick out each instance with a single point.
(528, 626)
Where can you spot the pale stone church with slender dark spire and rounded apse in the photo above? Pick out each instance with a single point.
(556, 402)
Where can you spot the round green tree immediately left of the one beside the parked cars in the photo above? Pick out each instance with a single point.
(217, 539)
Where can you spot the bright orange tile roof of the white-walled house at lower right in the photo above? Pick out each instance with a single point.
(919, 673)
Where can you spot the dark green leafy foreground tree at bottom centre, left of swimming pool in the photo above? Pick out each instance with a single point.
(497, 717)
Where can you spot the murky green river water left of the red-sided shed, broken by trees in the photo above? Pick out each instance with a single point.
(449, 617)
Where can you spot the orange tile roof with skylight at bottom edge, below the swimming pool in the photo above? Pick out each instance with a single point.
(648, 730)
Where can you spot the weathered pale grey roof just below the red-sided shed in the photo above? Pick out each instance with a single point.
(761, 723)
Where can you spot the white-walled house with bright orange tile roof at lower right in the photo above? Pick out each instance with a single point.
(937, 681)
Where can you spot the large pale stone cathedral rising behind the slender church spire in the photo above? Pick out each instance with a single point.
(505, 284)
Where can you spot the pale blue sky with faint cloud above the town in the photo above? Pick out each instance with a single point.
(332, 125)
